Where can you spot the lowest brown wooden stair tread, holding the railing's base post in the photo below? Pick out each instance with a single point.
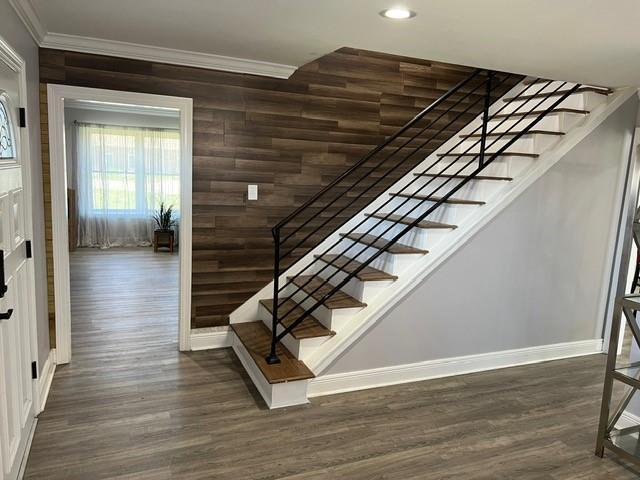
(256, 338)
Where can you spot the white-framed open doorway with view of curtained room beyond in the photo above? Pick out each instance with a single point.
(121, 205)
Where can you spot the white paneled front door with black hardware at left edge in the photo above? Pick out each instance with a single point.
(16, 383)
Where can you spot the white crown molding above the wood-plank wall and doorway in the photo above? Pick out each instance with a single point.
(172, 56)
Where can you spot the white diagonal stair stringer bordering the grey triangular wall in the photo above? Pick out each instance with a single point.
(324, 356)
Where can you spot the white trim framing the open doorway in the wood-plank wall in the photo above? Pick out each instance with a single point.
(56, 96)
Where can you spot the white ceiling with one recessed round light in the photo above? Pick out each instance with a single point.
(589, 41)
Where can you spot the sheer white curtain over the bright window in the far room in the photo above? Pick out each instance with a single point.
(123, 174)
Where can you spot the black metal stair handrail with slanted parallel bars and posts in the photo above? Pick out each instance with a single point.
(494, 84)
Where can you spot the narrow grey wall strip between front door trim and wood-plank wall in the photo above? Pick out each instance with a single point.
(12, 30)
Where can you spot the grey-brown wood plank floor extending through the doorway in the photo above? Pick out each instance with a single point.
(131, 407)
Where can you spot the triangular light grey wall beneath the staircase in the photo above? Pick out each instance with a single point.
(535, 275)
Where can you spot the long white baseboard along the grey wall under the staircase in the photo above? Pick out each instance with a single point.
(414, 372)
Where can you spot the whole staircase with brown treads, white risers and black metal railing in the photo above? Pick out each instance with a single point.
(394, 215)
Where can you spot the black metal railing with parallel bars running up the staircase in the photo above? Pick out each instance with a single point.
(493, 85)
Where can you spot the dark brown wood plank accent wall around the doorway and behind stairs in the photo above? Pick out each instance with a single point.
(288, 136)
